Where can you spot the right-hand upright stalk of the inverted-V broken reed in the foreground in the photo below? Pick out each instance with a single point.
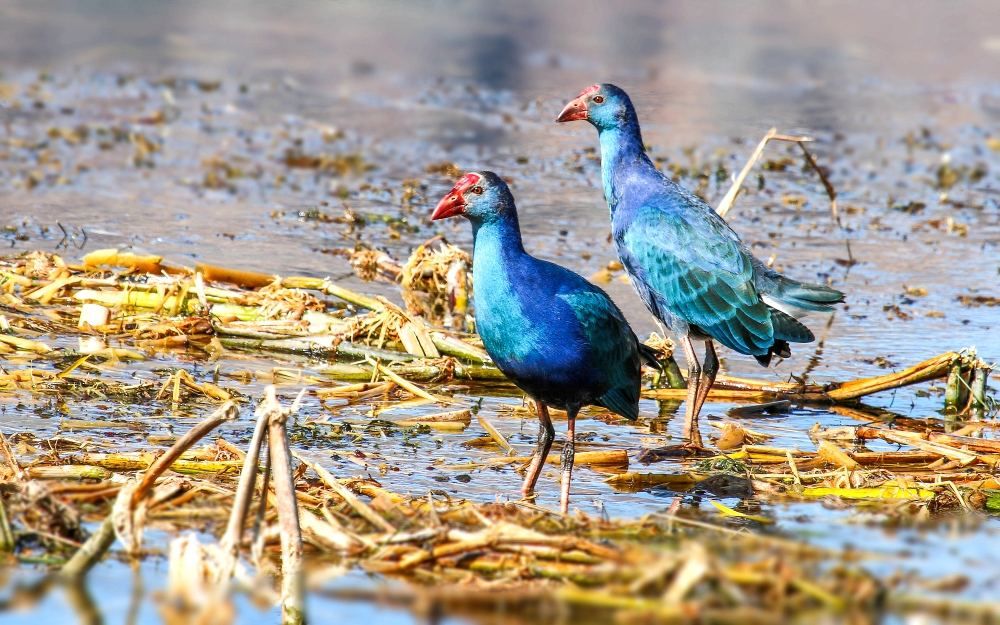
(292, 579)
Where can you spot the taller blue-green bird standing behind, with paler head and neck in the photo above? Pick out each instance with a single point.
(690, 268)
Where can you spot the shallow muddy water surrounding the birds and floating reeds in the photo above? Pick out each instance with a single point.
(170, 128)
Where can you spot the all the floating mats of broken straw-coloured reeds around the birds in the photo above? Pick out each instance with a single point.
(67, 326)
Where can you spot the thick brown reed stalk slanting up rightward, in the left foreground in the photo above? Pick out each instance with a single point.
(99, 542)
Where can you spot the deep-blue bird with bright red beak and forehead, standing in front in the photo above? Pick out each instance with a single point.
(559, 338)
